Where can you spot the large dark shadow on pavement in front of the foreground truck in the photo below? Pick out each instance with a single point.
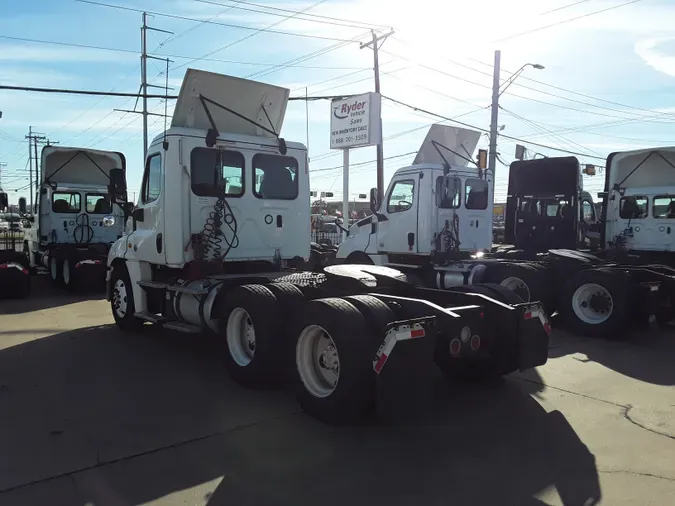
(135, 418)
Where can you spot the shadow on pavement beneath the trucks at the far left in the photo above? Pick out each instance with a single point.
(46, 296)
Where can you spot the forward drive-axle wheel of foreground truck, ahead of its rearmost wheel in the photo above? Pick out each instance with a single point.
(253, 329)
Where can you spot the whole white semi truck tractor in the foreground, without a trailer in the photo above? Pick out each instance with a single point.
(216, 243)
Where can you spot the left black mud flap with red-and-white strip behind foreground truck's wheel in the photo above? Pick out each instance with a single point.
(404, 365)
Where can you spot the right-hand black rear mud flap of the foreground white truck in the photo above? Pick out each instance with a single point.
(534, 335)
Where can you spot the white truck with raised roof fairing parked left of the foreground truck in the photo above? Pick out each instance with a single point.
(65, 232)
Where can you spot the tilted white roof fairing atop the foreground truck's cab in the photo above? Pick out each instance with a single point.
(251, 99)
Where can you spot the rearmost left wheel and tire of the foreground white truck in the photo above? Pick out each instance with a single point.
(335, 380)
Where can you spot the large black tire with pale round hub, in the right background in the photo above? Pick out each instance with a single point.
(597, 302)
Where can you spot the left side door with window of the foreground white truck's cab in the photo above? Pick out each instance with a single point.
(147, 240)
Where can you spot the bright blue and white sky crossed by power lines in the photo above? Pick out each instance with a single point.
(608, 82)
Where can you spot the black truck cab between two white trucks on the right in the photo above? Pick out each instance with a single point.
(547, 208)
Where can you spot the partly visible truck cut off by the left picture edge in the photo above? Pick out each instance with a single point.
(14, 271)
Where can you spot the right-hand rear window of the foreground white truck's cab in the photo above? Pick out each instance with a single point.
(275, 177)
